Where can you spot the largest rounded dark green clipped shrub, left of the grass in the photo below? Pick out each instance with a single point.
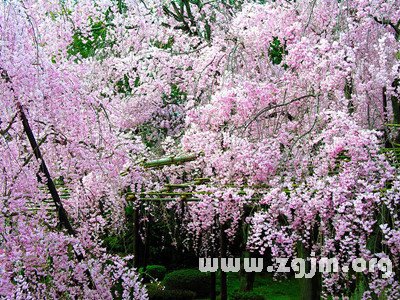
(189, 279)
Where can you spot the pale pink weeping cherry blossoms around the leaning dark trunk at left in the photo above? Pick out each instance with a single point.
(83, 149)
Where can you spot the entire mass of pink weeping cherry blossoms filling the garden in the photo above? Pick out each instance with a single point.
(292, 108)
